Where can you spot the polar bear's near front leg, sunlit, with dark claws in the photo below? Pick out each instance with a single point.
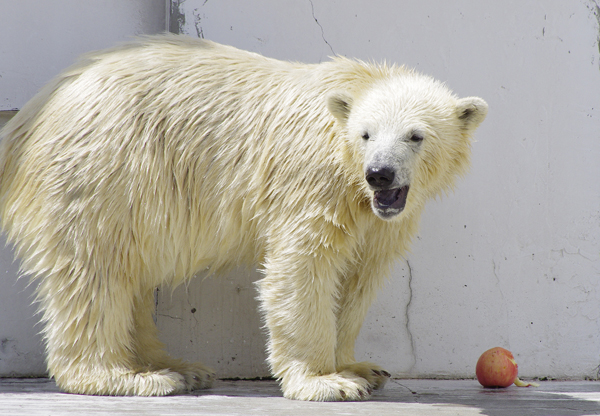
(299, 300)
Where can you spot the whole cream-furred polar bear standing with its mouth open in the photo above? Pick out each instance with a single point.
(146, 163)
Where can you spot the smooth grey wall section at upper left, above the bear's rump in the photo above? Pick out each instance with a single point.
(40, 38)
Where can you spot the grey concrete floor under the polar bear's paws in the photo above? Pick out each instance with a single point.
(33, 397)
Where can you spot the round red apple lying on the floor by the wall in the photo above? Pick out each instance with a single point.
(496, 368)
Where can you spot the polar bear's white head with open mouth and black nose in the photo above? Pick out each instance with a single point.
(409, 138)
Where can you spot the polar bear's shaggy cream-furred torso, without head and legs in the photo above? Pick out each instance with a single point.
(176, 146)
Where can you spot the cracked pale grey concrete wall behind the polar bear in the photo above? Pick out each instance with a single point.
(512, 258)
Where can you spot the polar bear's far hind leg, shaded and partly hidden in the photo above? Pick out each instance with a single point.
(150, 351)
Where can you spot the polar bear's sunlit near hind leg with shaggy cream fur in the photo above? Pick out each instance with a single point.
(88, 330)
